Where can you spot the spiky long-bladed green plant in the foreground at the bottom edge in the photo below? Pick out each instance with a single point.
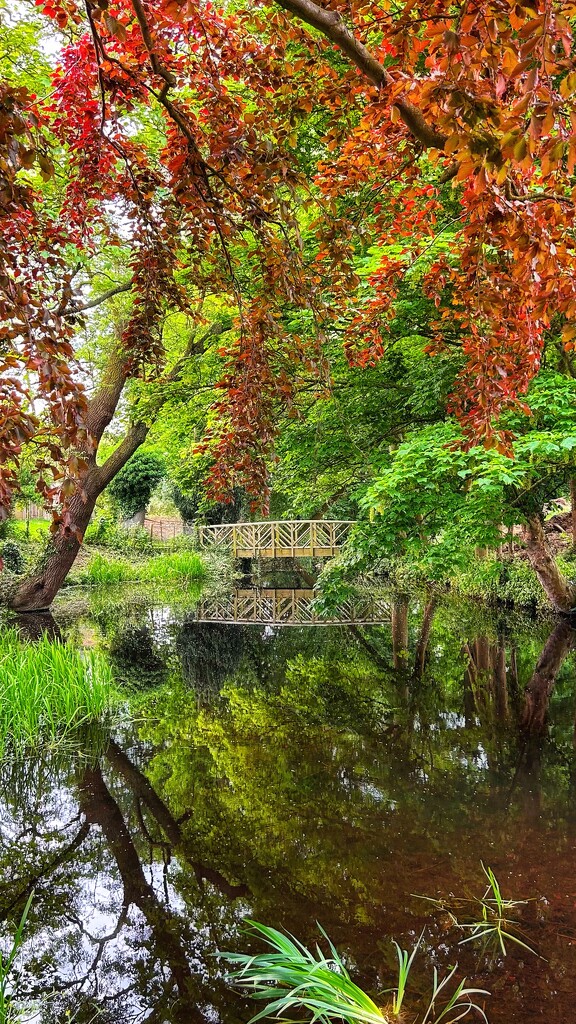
(293, 977)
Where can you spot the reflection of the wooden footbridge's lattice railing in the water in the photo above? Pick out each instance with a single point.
(291, 608)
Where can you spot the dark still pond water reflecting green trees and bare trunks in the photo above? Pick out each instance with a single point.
(299, 775)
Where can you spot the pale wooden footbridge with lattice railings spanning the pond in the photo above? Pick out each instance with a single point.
(285, 539)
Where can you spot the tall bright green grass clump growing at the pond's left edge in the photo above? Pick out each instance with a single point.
(48, 690)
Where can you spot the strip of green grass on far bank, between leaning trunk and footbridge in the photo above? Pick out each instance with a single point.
(176, 568)
